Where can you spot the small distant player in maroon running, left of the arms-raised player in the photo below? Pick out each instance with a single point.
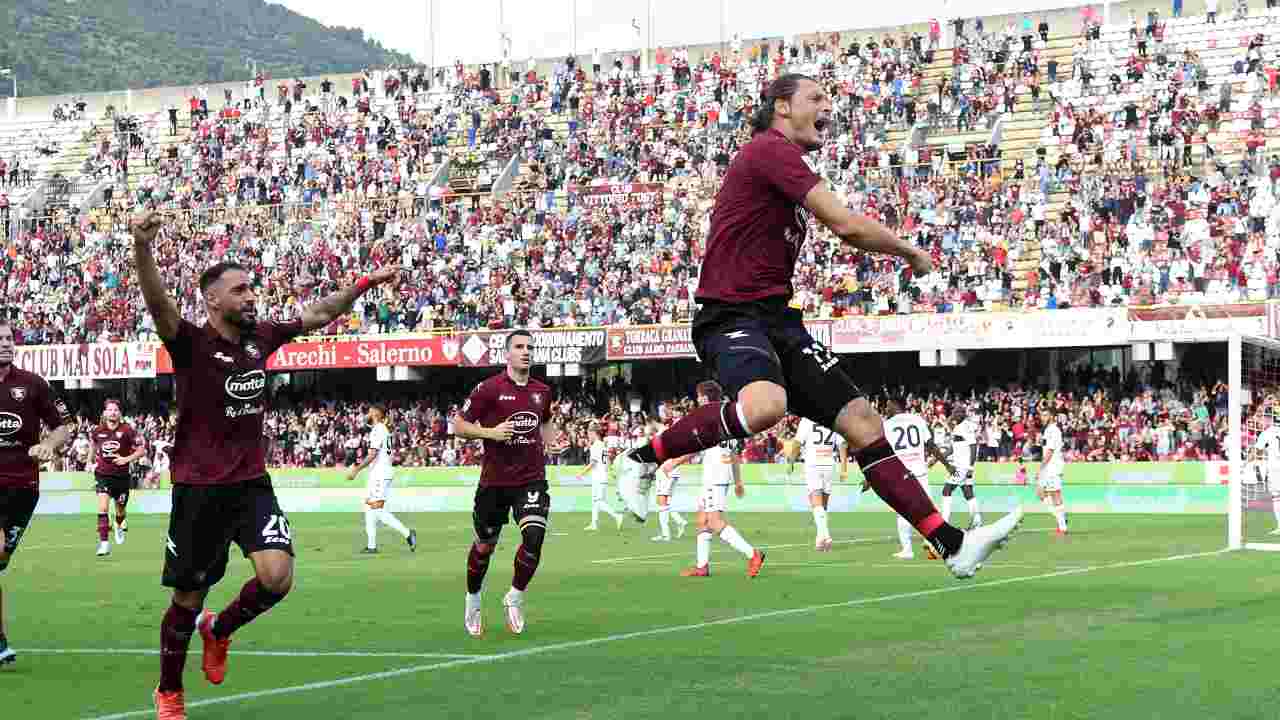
(116, 446)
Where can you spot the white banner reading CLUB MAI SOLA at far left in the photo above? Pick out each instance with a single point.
(97, 362)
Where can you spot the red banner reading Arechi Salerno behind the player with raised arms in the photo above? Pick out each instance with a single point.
(333, 356)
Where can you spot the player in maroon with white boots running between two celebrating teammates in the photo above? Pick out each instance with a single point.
(511, 413)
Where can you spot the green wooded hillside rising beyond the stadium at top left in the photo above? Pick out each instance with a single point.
(97, 45)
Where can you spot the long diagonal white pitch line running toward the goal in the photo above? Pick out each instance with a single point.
(652, 632)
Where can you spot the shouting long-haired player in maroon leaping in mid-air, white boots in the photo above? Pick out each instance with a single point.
(747, 332)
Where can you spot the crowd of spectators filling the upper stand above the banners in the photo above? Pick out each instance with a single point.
(310, 188)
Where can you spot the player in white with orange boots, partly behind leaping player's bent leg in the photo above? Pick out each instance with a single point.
(720, 470)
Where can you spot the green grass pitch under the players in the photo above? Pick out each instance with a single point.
(1128, 617)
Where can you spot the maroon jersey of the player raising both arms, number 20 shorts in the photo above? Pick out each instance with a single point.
(222, 398)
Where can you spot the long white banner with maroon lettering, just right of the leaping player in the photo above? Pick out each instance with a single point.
(981, 331)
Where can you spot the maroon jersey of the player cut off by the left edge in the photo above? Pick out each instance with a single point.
(26, 402)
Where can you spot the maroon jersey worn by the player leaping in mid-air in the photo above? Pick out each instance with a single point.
(758, 224)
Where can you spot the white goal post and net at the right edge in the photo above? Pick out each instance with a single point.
(1254, 443)
